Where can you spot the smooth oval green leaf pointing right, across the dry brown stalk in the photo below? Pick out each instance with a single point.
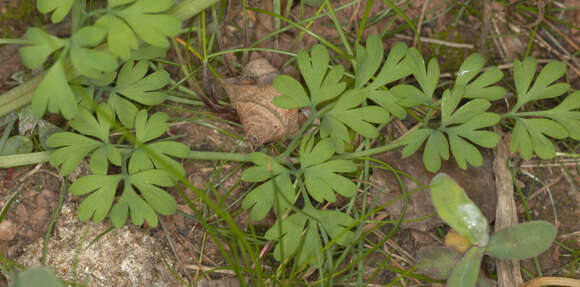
(522, 241)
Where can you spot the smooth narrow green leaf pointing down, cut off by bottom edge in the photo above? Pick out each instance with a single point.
(466, 272)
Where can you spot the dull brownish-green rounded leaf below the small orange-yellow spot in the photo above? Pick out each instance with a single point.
(438, 262)
